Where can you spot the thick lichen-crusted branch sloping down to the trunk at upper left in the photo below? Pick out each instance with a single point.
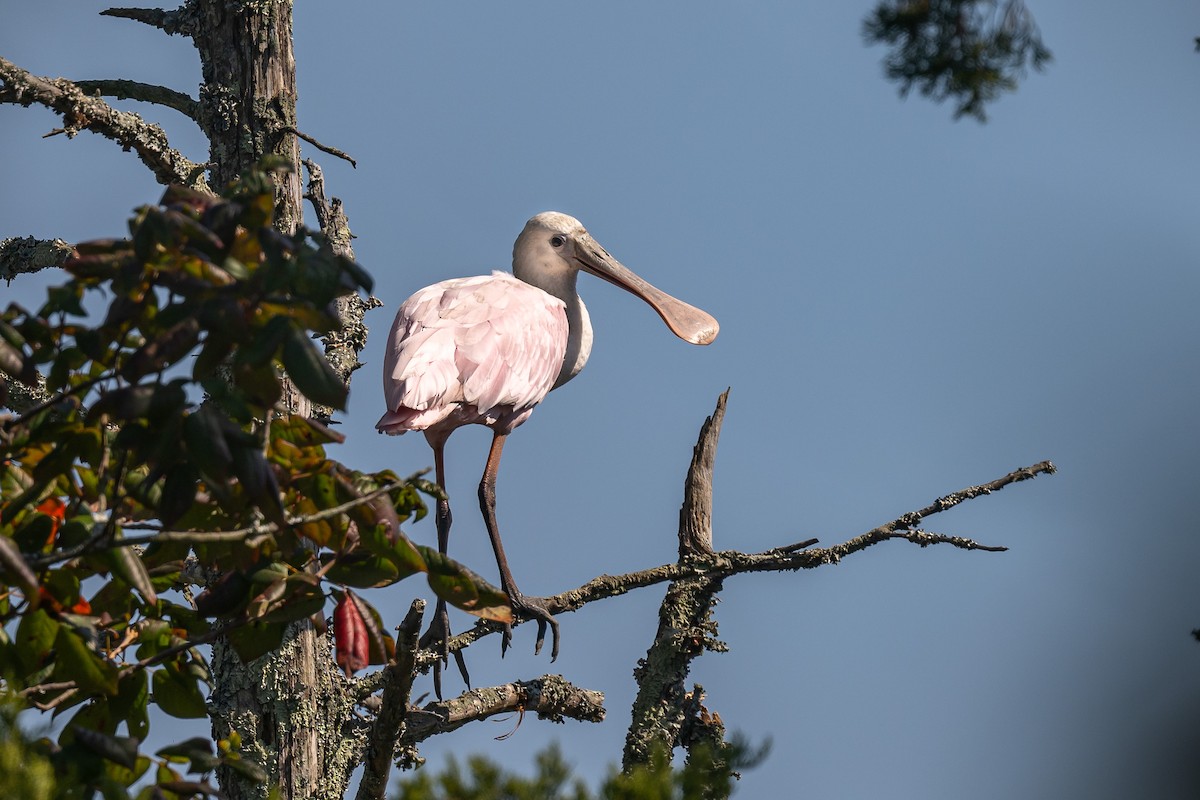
(83, 112)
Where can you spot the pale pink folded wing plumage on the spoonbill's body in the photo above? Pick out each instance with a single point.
(485, 350)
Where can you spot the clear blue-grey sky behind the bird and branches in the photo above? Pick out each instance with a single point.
(909, 305)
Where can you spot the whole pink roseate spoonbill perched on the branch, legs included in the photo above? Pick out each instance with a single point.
(488, 350)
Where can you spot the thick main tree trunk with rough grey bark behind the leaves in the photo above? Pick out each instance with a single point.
(289, 707)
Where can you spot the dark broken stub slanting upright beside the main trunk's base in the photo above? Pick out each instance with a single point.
(398, 687)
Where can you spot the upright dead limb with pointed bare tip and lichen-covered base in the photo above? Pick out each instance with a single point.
(687, 628)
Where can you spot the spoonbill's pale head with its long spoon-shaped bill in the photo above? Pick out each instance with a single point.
(554, 248)
